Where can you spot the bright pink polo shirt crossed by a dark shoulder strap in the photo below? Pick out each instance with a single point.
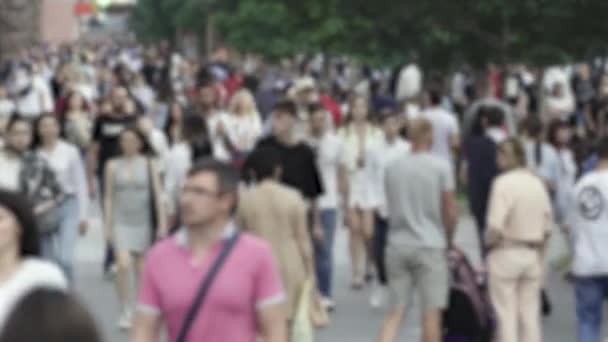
(248, 281)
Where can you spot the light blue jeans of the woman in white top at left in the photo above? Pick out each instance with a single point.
(59, 246)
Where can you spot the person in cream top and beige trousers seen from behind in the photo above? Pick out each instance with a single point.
(520, 221)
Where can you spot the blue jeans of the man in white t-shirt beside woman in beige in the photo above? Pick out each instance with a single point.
(324, 252)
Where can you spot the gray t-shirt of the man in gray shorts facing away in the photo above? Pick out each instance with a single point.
(414, 187)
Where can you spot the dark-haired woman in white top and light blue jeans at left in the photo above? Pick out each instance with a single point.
(66, 162)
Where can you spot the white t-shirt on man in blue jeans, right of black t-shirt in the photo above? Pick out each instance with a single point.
(329, 153)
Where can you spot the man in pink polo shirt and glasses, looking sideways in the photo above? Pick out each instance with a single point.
(245, 299)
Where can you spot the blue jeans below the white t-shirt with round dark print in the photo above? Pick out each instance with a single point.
(590, 293)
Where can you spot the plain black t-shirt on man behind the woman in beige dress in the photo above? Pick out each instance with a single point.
(299, 167)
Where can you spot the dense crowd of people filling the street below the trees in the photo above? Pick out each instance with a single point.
(221, 186)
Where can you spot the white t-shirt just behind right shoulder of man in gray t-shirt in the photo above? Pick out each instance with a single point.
(445, 126)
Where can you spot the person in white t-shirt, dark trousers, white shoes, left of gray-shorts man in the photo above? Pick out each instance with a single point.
(392, 148)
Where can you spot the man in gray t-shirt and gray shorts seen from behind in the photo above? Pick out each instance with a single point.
(422, 217)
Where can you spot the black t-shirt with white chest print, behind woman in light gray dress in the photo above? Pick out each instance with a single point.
(106, 132)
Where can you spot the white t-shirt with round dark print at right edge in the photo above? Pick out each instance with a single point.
(588, 219)
